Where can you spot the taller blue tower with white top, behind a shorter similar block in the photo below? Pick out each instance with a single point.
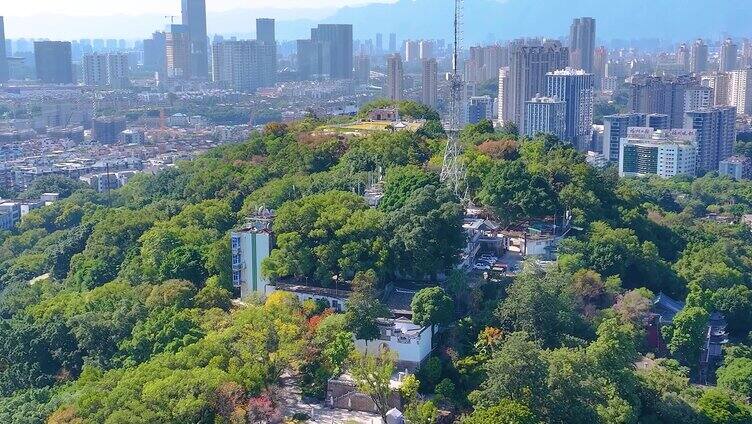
(576, 88)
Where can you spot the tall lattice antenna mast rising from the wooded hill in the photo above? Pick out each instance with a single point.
(452, 172)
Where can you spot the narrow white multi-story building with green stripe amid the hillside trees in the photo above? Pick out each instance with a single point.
(250, 245)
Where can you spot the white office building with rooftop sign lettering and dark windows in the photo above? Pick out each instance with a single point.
(645, 151)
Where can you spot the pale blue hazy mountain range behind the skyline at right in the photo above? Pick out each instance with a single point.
(508, 19)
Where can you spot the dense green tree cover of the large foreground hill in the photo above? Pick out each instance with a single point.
(132, 321)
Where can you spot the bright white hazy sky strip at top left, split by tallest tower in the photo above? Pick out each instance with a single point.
(139, 7)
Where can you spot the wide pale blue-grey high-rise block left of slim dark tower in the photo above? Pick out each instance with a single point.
(241, 65)
